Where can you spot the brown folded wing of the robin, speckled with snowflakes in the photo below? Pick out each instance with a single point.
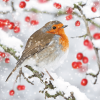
(37, 42)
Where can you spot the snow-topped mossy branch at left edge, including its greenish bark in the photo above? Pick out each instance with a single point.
(10, 44)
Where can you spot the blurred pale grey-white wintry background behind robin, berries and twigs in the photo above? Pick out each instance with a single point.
(73, 76)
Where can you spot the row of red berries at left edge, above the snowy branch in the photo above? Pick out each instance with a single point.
(10, 25)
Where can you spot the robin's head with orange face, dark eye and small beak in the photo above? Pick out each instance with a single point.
(54, 27)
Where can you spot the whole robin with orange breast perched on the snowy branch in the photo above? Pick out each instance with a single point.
(45, 48)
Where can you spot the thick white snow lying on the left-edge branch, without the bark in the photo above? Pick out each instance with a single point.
(11, 42)
